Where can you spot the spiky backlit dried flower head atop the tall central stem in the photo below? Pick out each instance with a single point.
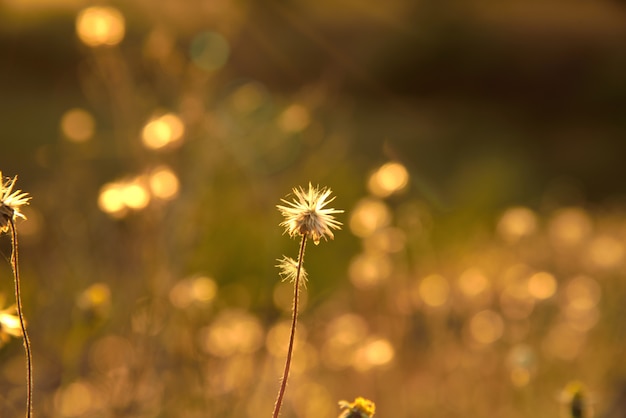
(307, 216)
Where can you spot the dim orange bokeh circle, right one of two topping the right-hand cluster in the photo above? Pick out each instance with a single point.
(570, 226)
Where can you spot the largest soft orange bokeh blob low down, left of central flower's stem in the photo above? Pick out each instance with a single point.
(233, 331)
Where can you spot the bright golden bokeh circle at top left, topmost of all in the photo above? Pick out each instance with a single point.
(100, 26)
